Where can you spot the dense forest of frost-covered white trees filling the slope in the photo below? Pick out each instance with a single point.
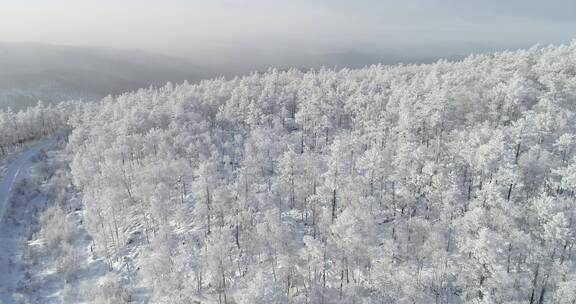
(450, 182)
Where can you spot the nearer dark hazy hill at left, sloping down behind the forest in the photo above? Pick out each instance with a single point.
(32, 72)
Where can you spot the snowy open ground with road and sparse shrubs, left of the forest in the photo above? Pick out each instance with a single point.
(37, 197)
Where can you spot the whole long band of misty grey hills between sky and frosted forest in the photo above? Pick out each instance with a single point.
(30, 71)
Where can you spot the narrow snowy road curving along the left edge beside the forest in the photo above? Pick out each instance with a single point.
(20, 164)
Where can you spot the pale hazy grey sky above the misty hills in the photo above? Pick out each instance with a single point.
(200, 27)
